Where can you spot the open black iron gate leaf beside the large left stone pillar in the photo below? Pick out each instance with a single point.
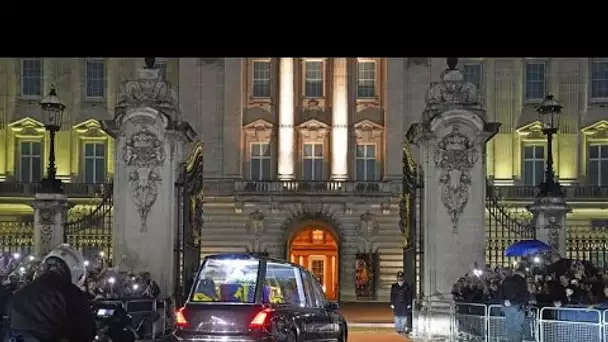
(190, 221)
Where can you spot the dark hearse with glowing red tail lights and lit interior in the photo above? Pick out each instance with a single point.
(241, 297)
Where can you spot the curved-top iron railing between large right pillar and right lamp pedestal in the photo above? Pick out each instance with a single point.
(503, 228)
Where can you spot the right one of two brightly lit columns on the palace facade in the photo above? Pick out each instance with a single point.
(339, 130)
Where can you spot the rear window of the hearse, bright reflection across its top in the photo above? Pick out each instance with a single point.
(226, 280)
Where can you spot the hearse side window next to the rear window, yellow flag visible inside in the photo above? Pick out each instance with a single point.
(283, 285)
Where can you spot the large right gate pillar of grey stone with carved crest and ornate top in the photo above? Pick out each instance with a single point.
(452, 135)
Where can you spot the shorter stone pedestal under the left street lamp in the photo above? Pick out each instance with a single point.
(50, 215)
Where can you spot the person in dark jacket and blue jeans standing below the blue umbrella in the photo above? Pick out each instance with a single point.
(514, 297)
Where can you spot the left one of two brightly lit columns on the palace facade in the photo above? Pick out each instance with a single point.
(286, 119)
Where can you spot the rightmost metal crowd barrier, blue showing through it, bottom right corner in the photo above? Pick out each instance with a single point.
(570, 324)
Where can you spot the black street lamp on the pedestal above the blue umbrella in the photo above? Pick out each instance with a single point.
(549, 112)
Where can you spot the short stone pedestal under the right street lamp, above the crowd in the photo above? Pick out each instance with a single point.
(549, 219)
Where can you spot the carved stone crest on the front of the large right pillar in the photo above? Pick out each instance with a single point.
(455, 156)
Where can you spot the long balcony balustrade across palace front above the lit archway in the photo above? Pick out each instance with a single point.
(325, 188)
